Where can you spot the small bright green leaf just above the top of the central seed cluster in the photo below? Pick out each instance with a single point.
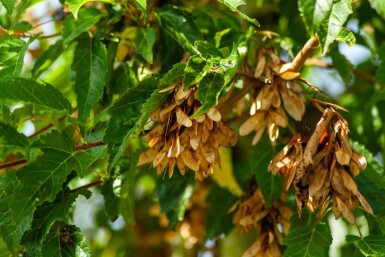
(194, 71)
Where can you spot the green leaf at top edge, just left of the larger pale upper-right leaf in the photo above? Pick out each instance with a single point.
(314, 12)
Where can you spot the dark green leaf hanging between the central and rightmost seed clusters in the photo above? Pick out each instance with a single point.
(270, 185)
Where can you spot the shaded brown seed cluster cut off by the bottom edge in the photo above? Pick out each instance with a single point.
(271, 223)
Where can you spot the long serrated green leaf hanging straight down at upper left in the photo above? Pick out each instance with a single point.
(90, 67)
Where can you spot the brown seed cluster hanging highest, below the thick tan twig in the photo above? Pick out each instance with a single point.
(266, 110)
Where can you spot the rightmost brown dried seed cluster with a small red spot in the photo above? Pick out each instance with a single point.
(322, 169)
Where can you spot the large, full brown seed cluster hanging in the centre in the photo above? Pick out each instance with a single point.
(178, 140)
